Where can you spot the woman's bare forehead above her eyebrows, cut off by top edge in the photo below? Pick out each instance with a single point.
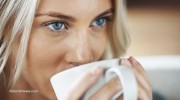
(75, 8)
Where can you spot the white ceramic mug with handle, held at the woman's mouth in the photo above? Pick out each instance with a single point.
(61, 81)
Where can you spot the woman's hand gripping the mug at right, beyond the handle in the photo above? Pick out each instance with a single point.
(144, 85)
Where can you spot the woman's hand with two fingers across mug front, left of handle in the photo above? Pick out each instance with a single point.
(77, 89)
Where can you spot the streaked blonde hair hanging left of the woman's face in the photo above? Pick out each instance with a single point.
(16, 20)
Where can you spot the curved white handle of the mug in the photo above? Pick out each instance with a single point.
(127, 79)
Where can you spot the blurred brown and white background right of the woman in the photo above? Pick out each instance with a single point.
(154, 26)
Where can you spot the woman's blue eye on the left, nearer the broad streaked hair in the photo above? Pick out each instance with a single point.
(56, 26)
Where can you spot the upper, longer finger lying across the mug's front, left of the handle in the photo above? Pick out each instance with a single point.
(77, 89)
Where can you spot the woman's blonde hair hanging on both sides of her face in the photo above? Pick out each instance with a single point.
(16, 19)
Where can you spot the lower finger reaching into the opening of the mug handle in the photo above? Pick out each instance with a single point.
(108, 90)
